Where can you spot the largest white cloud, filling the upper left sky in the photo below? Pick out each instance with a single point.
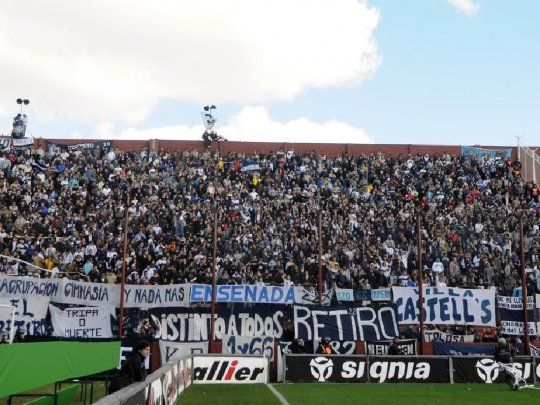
(111, 61)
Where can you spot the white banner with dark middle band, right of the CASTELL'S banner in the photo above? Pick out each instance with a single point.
(511, 315)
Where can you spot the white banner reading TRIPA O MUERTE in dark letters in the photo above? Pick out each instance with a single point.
(82, 322)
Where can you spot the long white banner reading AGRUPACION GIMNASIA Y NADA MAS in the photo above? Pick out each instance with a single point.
(66, 291)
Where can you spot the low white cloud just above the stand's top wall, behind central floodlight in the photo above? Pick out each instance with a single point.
(255, 124)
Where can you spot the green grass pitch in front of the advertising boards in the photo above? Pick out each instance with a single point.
(333, 394)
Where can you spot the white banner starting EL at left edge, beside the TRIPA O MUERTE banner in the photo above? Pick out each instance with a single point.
(30, 315)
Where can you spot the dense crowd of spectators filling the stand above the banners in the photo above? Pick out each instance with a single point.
(64, 212)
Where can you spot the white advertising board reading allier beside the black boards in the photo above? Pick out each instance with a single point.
(230, 370)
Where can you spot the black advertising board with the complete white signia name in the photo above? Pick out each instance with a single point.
(362, 369)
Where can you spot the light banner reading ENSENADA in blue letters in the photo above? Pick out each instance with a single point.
(260, 294)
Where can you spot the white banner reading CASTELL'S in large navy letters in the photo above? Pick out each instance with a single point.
(446, 306)
